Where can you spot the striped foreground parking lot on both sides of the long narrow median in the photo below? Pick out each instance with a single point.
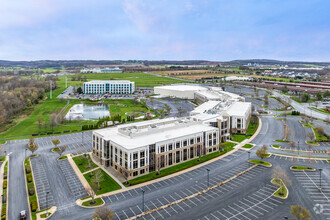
(152, 201)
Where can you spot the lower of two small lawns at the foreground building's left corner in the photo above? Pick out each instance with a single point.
(107, 185)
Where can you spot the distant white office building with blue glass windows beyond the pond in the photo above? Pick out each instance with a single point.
(109, 86)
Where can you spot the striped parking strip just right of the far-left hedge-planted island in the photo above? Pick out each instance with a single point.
(42, 183)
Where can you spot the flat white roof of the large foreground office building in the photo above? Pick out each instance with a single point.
(135, 135)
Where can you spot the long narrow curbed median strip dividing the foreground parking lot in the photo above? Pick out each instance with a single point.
(192, 196)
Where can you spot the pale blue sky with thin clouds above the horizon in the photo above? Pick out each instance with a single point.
(215, 30)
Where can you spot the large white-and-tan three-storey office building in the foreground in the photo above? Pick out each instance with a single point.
(139, 148)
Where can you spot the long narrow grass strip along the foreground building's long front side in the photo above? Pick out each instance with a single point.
(179, 167)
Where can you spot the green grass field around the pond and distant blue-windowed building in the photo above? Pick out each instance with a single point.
(26, 124)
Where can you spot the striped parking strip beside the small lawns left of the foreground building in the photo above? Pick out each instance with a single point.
(76, 188)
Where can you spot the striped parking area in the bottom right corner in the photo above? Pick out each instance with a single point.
(310, 182)
